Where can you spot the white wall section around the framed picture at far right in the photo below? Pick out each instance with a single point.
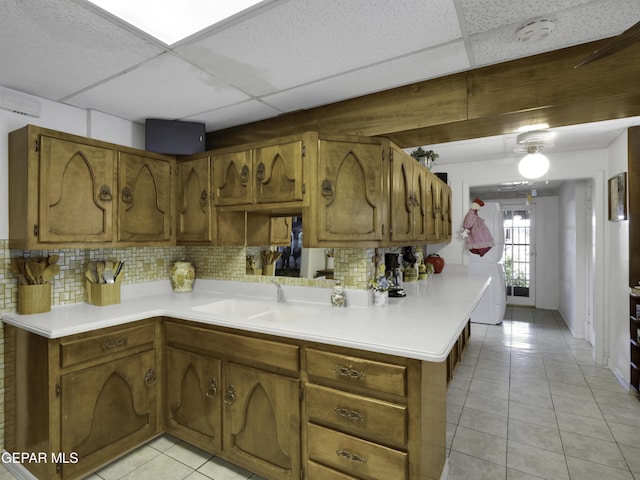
(618, 261)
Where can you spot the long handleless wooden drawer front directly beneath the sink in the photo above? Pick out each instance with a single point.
(239, 348)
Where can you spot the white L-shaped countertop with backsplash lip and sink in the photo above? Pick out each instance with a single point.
(424, 325)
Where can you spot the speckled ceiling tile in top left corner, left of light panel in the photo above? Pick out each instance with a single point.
(52, 49)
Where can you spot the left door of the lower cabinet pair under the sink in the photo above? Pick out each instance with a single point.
(193, 398)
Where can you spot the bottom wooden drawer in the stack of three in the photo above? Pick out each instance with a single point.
(356, 457)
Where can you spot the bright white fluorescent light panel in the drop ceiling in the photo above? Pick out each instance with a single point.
(172, 21)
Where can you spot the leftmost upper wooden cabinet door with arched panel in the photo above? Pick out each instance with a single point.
(76, 183)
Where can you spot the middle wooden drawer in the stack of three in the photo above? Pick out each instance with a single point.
(363, 416)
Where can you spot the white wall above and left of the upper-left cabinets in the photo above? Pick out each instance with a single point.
(64, 118)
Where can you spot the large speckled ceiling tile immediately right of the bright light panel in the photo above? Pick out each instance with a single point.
(305, 40)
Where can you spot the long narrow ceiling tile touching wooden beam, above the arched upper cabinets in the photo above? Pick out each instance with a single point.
(401, 71)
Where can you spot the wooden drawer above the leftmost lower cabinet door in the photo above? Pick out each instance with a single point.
(103, 345)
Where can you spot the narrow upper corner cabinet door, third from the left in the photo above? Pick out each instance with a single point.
(194, 202)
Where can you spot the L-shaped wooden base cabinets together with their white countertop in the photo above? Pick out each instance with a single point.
(294, 390)
